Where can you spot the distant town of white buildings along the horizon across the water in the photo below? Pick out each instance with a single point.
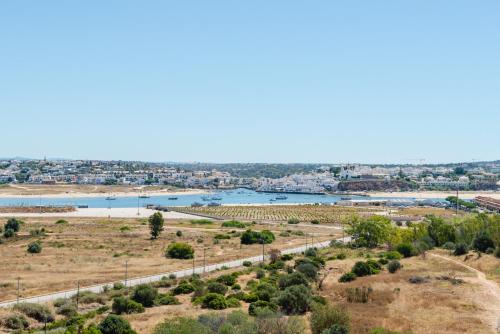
(314, 179)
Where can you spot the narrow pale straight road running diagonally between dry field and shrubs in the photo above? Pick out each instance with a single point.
(154, 278)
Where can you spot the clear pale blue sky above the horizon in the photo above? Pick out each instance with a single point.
(251, 81)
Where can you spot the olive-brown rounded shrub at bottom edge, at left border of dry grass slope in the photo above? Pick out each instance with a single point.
(324, 317)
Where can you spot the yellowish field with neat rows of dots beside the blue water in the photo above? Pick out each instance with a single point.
(305, 213)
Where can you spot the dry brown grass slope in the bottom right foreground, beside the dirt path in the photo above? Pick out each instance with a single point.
(436, 306)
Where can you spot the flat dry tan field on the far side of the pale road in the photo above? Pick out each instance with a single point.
(94, 251)
